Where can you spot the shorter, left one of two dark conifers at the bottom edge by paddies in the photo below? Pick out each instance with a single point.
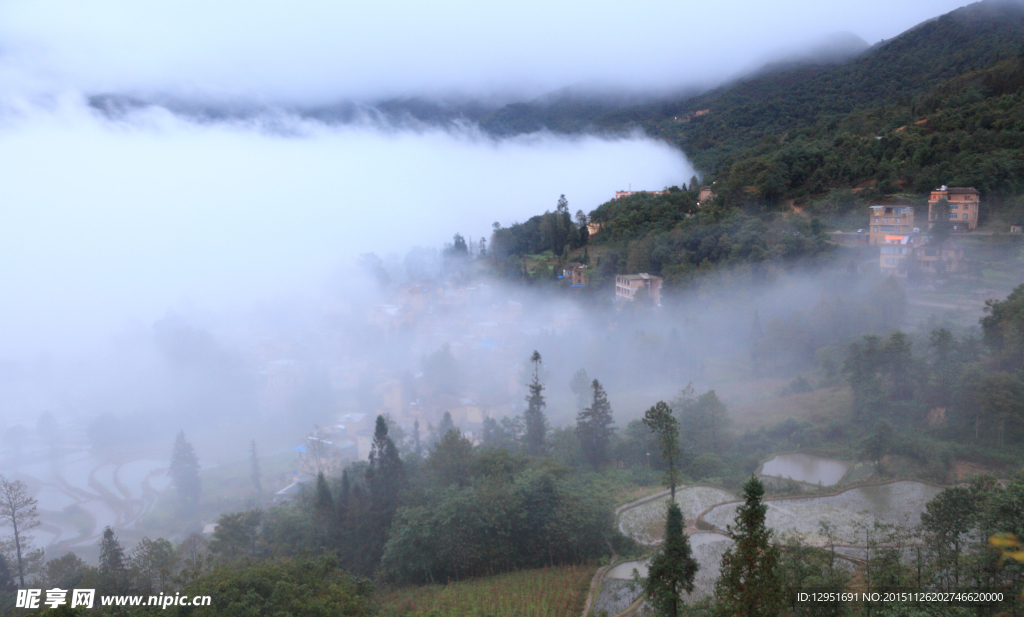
(673, 567)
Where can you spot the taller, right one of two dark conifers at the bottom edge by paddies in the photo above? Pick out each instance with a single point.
(751, 584)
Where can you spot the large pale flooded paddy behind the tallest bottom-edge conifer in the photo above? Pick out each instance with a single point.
(849, 513)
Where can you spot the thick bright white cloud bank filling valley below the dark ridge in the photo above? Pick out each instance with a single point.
(107, 221)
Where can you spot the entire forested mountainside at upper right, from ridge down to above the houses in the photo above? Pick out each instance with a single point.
(804, 130)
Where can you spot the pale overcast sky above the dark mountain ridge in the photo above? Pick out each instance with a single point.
(326, 50)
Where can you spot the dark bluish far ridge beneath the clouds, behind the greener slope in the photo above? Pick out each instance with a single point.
(741, 114)
